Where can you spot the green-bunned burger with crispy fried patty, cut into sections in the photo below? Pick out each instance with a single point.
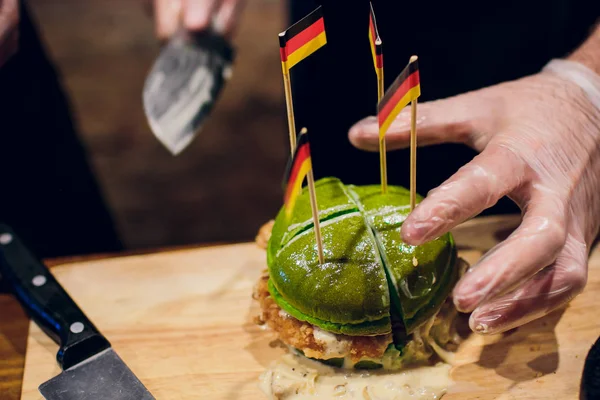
(375, 302)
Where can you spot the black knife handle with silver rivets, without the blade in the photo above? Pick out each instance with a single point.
(47, 303)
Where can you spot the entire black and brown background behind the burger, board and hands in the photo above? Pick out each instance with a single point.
(227, 183)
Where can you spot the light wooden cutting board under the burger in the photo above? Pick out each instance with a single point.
(183, 322)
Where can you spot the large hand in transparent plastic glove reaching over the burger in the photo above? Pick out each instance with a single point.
(539, 144)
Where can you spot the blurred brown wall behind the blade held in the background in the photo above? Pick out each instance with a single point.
(227, 183)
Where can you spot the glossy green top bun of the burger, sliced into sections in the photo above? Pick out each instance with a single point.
(368, 274)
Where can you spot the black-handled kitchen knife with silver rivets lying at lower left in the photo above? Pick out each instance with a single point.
(92, 370)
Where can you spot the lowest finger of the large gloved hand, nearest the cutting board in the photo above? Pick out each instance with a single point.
(547, 291)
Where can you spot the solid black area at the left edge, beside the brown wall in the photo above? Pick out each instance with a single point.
(48, 191)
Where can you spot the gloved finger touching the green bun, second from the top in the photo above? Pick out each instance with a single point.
(476, 186)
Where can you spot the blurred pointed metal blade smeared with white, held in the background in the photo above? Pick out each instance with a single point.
(184, 84)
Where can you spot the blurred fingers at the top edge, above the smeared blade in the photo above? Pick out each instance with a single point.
(196, 15)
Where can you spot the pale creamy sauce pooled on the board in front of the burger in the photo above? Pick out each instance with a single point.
(297, 378)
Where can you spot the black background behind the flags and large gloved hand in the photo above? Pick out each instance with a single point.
(462, 46)
